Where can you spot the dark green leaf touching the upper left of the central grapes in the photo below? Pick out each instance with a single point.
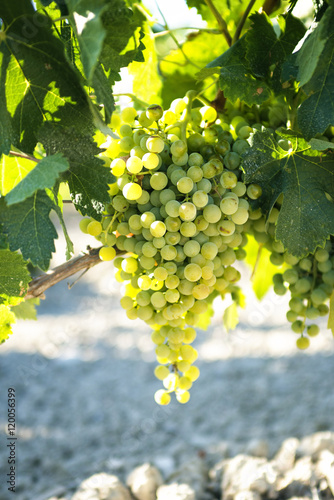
(87, 177)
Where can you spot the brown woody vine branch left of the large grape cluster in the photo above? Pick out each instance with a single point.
(39, 285)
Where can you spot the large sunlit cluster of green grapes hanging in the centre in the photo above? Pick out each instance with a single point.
(178, 209)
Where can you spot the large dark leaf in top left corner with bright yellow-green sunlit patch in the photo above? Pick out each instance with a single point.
(37, 82)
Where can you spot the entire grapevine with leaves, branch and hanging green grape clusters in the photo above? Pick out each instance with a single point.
(177, 191)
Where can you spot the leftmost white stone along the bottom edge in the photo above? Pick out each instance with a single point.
(102, 487)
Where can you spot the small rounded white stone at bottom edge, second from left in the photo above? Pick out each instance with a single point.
(144, 481)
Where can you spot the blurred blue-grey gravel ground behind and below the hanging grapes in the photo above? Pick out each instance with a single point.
(84, 388)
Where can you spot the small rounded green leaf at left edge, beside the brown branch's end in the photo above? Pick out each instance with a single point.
(14, 275)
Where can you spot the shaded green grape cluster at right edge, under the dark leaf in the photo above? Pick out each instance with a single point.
(310, 280)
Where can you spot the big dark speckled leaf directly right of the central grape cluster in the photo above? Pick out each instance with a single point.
(304, 177)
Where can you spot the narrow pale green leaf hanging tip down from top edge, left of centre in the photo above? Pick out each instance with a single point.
(85, 17)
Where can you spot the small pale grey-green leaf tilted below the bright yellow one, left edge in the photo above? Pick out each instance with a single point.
(43, 176)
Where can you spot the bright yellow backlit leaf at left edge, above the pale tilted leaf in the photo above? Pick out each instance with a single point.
(12, 170)
